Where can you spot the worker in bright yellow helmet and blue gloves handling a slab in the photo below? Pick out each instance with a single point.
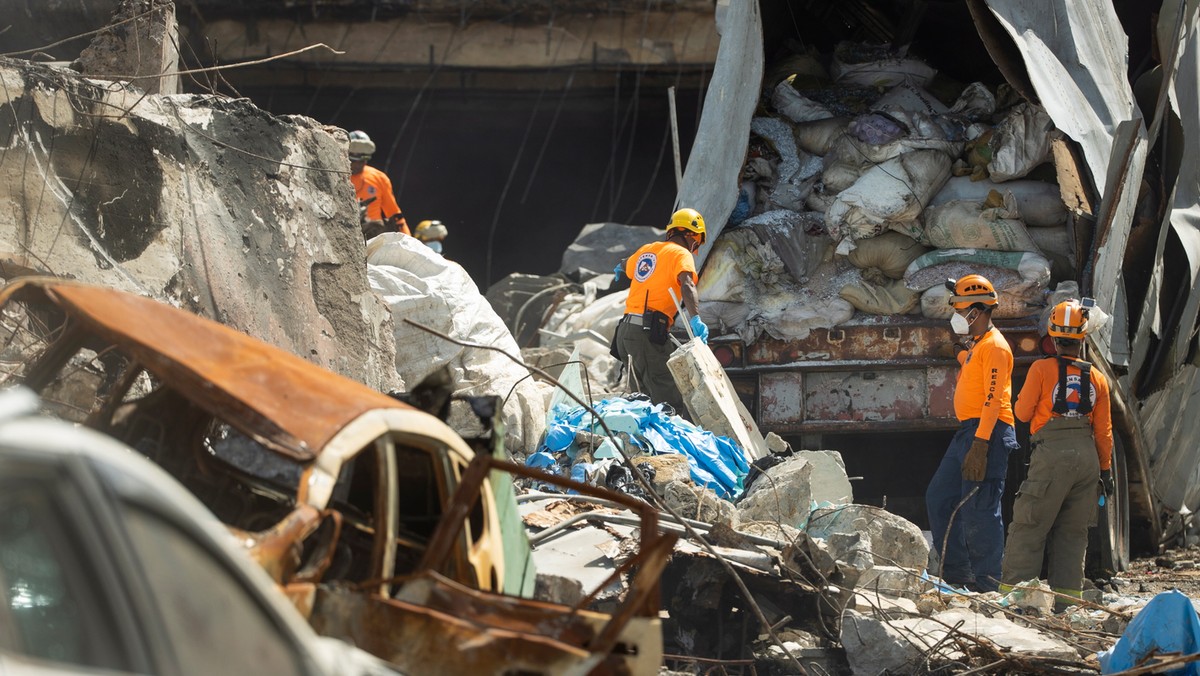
(657, 272)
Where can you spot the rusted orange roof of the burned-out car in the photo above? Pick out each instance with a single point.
(286, 404)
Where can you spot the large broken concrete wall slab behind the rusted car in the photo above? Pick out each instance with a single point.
(206, 202)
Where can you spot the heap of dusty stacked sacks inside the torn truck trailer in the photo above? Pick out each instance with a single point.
(905, 192)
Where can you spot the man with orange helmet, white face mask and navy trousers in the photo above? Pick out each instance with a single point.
(963, 498)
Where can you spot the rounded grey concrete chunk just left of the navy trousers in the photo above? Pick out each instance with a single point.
(895, 540)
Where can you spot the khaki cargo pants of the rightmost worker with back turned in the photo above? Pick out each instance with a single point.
(1055, 506)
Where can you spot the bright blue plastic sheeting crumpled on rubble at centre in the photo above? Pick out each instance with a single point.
(717, 463)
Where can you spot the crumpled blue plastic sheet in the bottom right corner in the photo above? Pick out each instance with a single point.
(1168, 624)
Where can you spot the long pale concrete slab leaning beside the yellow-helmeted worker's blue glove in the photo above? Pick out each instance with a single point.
(710, 397)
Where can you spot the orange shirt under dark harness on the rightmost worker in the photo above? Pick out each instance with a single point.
(1035, 404)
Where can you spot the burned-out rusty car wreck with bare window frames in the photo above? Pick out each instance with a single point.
(382, 525)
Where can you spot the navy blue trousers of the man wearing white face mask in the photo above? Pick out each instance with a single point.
(976, 543)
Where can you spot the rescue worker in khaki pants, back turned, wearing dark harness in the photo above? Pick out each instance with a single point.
(1066, 403)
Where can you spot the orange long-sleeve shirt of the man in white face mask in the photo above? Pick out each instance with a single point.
(986, 384)
